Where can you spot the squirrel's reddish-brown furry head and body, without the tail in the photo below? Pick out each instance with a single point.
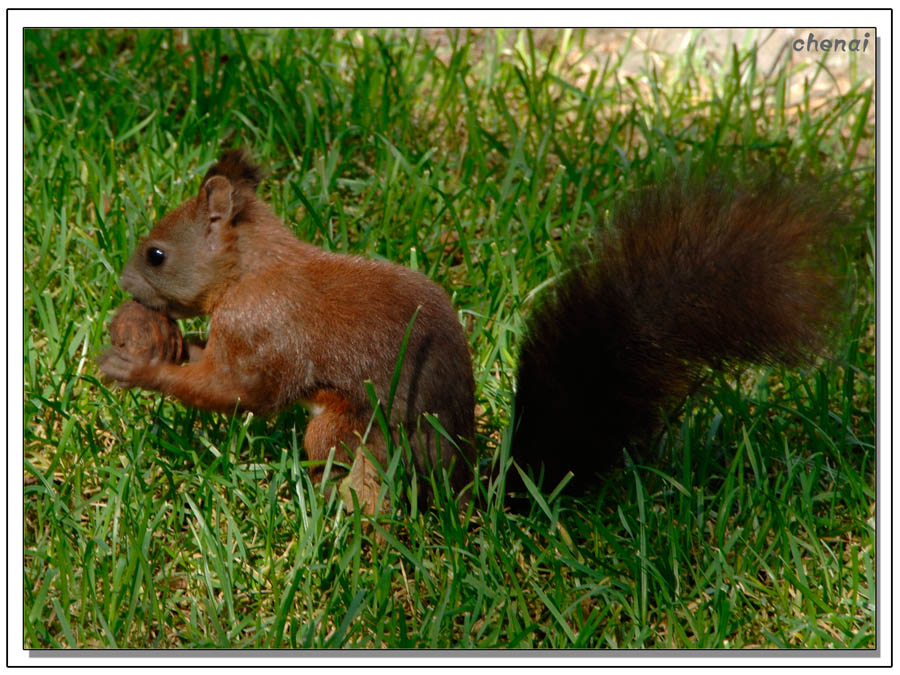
(292, 323)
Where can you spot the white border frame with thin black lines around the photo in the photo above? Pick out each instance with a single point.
(639, 15)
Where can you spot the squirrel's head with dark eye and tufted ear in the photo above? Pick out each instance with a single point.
(187, 260)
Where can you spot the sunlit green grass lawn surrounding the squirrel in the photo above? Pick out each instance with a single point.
(485, 160)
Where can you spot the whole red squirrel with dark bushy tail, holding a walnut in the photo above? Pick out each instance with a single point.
(693, 275)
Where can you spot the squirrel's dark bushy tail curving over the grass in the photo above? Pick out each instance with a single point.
(698, 274)
